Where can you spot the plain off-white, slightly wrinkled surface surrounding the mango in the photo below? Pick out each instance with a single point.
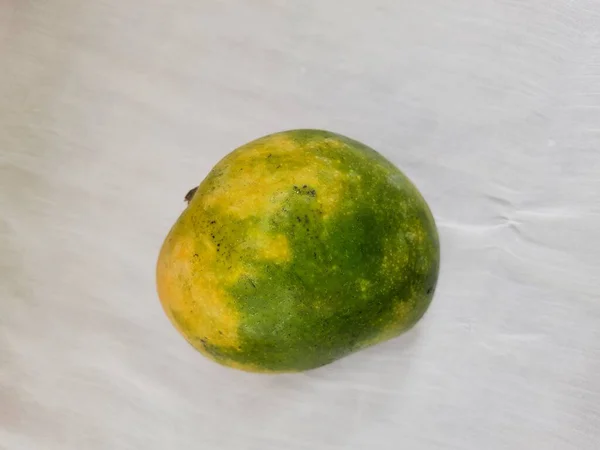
(110, 110)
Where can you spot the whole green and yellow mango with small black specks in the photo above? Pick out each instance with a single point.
(322, 247)
